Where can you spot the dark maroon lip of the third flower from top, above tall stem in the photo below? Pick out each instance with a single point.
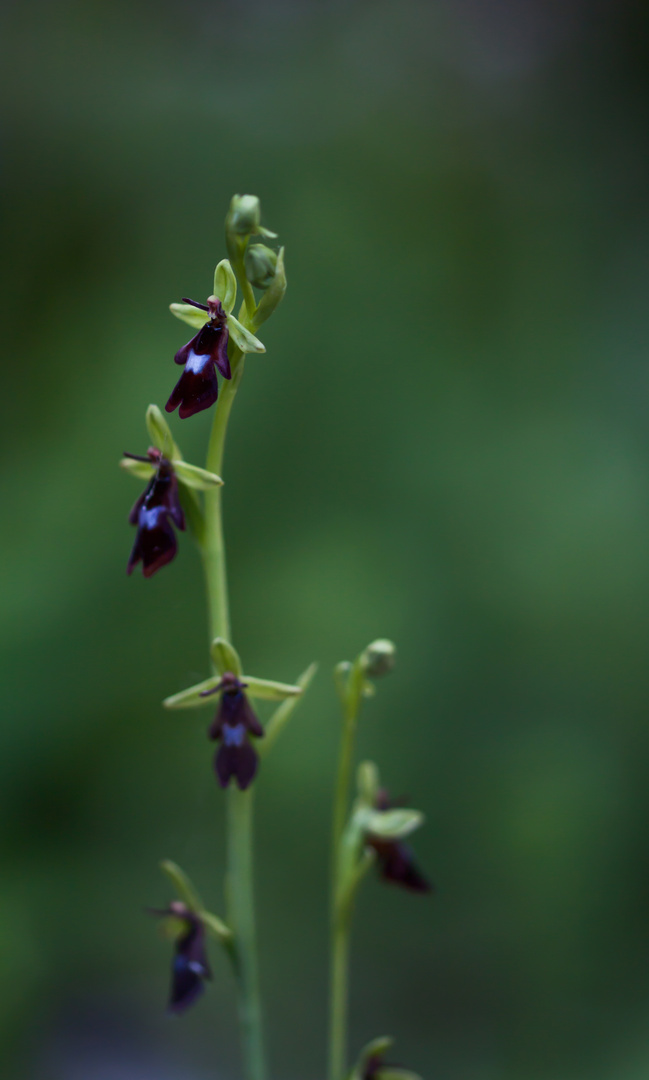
(234, 723)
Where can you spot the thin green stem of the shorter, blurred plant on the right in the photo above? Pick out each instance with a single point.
(341, 912)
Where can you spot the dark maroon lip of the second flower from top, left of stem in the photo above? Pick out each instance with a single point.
(156, 542)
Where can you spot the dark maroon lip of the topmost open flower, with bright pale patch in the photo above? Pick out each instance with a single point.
(198, 387)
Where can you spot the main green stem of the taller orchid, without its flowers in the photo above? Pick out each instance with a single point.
(239, 888)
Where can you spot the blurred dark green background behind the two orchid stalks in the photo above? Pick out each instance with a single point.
(447, 444)
